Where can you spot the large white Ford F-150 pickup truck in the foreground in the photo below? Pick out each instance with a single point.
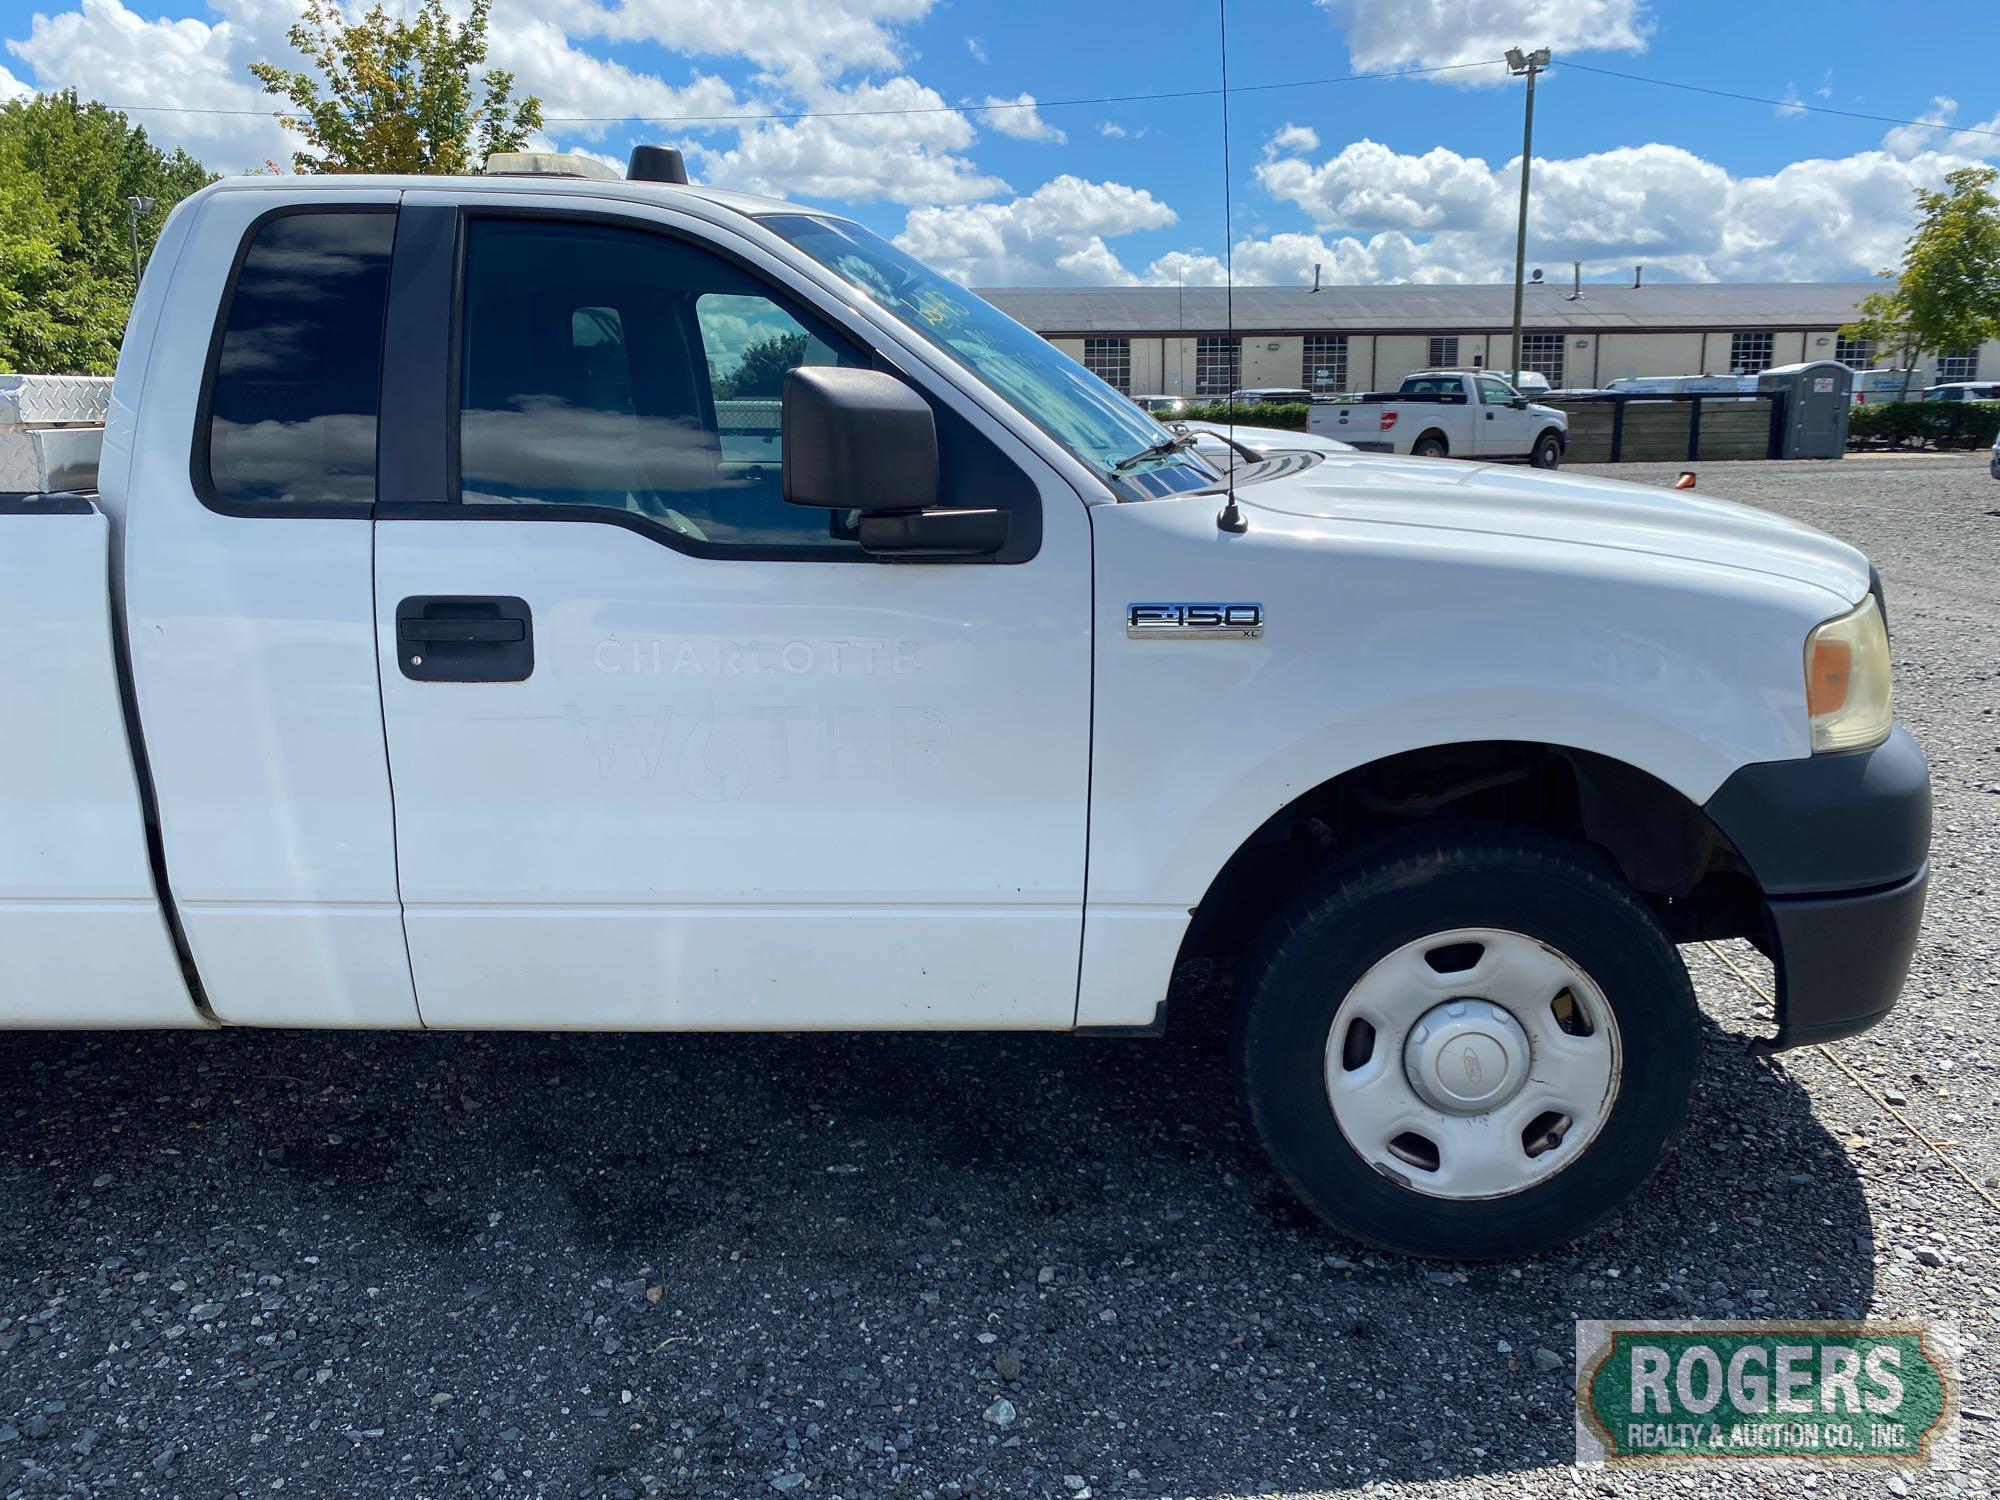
(433, 657)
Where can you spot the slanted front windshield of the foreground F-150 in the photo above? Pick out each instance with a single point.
(1035, 377)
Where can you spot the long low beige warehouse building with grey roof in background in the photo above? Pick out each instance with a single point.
(1171, 341)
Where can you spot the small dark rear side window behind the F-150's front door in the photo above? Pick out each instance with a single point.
(297, 385)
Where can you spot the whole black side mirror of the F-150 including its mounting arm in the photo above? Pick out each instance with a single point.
(865, 441)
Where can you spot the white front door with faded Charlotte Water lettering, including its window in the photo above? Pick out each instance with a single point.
(667, 751)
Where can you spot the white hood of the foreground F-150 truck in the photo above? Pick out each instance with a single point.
(1503, 501)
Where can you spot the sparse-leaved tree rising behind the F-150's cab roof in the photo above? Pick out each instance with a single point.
(395, 95)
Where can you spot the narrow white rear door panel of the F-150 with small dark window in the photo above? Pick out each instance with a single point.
(247, 583)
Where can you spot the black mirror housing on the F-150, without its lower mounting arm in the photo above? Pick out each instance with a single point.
(857, 441)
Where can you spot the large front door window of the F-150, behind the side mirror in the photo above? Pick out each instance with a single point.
(631, 371)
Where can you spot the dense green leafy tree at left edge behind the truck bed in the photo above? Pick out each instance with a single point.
(67, 171)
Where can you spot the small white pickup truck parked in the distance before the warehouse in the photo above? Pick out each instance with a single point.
(1447, 415)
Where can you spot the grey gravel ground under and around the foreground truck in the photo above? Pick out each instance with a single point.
(937, 1267)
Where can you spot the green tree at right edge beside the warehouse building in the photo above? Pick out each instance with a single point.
(1949, 291)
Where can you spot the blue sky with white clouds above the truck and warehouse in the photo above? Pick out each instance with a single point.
(1407, 179)
